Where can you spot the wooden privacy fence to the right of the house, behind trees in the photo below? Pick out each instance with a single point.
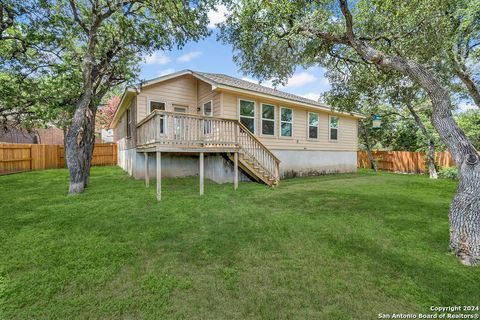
(403, 161)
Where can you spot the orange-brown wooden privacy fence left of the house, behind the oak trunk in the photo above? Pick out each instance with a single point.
(27, 157)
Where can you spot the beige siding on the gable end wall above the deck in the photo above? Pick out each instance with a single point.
(181, 91)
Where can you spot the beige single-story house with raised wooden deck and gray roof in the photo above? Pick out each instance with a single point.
(207, 124)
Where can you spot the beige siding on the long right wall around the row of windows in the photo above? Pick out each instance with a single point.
(347, 133)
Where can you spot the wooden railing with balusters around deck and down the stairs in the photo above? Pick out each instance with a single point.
(172, 129)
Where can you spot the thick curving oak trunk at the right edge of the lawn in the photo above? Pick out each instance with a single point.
(464, 215)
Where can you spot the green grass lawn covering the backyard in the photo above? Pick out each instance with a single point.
(333, 247)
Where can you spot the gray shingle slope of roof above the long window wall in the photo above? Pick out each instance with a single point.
(224, 79)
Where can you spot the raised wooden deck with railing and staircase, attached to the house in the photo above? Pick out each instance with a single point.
(163, 131)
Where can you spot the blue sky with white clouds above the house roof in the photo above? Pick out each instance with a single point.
(210, 55)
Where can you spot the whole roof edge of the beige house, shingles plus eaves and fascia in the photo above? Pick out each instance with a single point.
(223, 81)
